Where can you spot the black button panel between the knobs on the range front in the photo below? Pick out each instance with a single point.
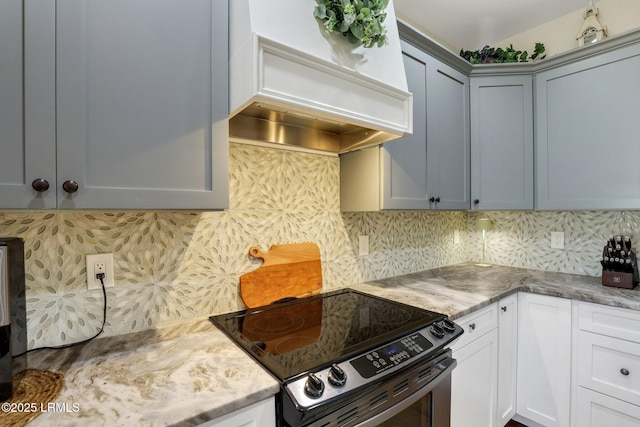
(390, 356)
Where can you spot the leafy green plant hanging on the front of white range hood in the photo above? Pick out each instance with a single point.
(360, 21)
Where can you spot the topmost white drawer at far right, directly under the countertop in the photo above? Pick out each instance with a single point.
(611, 321)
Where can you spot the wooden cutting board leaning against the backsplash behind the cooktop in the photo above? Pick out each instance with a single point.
(290, 270)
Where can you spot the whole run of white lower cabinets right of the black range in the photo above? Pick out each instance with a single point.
(515, 360)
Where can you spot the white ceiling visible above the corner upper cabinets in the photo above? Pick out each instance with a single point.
(472, 24)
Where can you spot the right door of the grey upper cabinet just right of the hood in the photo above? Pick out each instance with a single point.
(448, 142)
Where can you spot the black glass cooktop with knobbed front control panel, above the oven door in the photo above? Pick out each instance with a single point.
(325, 347)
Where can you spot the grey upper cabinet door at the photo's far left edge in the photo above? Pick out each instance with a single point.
(27, 110)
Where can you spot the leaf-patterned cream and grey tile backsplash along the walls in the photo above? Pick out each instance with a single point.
(175, 265)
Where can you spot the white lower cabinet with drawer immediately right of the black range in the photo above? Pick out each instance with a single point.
(474, 382)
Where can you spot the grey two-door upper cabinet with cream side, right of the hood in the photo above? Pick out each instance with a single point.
(429, 169)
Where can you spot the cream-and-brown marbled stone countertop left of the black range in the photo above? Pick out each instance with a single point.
(180, 375)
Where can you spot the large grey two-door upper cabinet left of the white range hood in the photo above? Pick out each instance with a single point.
(125, 105)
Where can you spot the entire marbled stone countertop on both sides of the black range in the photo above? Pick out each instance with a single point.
(188, 373)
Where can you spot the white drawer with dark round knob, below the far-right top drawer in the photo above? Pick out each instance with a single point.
(609, 365)
